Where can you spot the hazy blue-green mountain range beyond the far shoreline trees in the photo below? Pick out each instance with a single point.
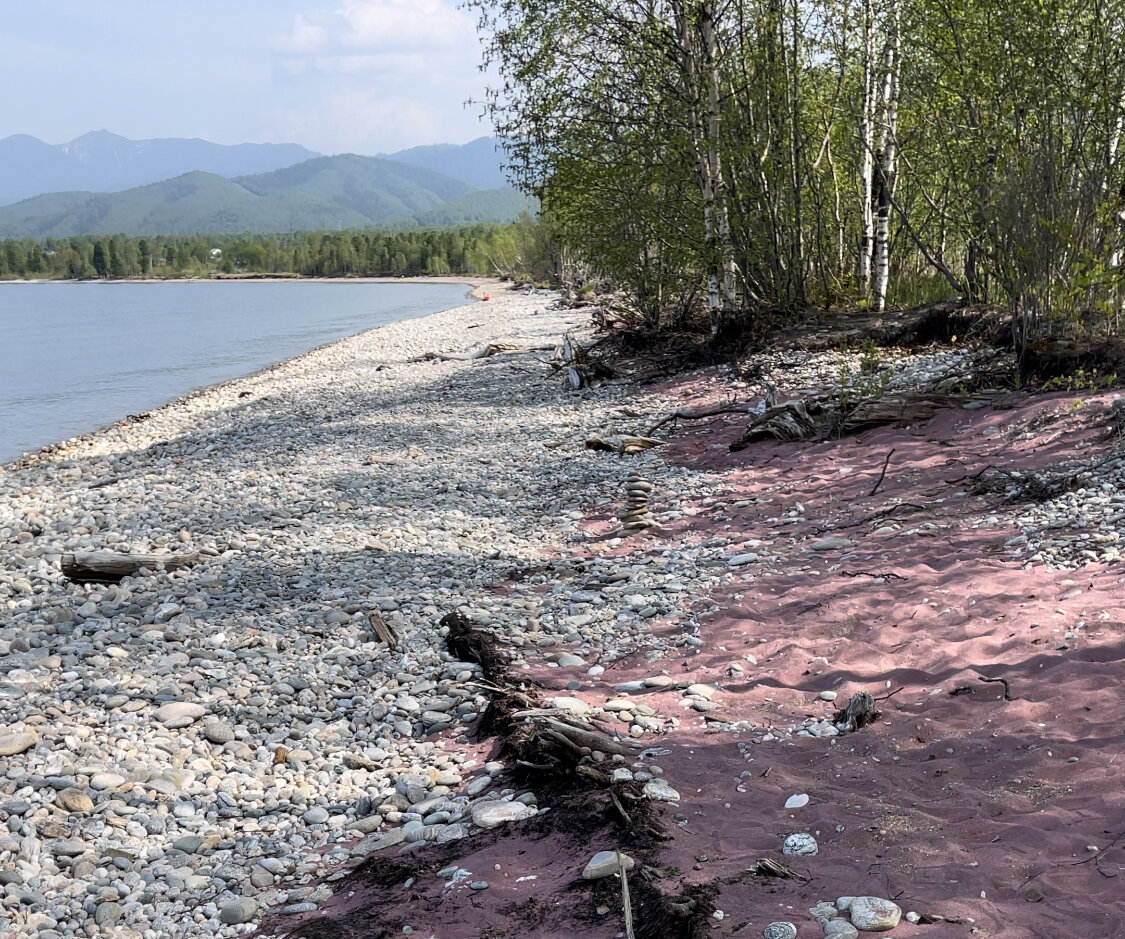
(210, 188)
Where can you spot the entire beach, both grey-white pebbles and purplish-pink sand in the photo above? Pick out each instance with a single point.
(195, 753)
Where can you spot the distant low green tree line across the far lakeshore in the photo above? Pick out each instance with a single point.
(516, 250)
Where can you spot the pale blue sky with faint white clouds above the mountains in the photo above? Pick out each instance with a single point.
(338, 76)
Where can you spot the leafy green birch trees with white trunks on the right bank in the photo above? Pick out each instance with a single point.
(758, 158)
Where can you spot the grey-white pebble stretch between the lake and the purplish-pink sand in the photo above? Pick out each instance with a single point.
(177, 747)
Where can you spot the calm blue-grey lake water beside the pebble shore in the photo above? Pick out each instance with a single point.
(76, 357)
